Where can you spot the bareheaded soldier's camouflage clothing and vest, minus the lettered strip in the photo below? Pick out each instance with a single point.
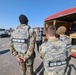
(53, 51)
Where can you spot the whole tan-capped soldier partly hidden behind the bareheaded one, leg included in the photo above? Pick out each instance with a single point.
(66, 39)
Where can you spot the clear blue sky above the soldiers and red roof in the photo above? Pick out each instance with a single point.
(35, 10)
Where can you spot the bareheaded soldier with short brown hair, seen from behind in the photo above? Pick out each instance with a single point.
(53, 51)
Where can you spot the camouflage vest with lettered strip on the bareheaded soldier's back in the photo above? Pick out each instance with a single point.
(55, 57)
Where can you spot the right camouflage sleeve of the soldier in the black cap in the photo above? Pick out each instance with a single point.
(31, 46)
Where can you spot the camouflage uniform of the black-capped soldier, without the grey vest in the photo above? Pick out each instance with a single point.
(26, 68)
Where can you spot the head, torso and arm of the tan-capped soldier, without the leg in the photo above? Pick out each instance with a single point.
(61, 31)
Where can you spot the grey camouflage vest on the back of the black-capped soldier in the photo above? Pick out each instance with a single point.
(20, 39)
